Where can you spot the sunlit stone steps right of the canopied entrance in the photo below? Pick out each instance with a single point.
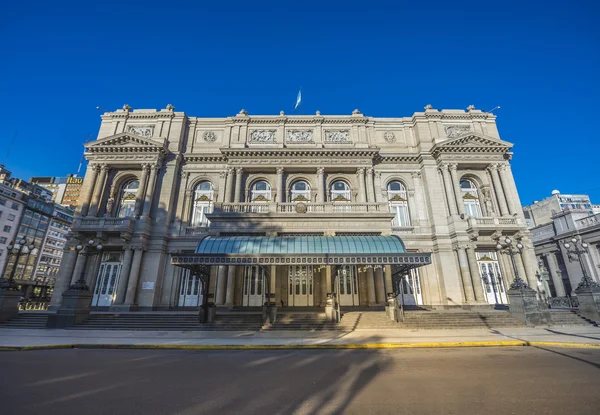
(450, 319)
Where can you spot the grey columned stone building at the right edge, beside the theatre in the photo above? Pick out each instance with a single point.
(563, 275)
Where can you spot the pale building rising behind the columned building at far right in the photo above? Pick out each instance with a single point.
(540, 212)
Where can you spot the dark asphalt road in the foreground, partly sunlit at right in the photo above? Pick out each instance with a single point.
(524, 380)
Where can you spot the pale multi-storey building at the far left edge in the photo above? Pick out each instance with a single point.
(11, 210)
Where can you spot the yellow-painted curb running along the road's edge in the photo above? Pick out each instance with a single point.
(426, 345)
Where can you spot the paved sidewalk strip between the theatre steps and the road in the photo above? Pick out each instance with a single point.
(30, 339)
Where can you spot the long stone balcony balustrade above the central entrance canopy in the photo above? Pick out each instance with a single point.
(302, 207)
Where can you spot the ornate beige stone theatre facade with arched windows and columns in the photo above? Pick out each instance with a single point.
(161, 184)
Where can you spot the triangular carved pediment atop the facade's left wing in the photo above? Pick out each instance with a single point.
(127, 142)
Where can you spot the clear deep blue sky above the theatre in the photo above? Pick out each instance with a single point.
(538, 61)
